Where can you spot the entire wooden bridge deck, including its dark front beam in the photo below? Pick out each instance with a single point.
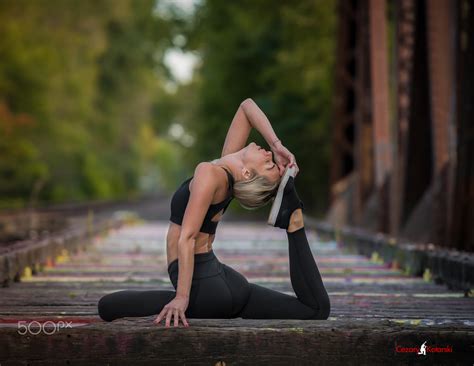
(374, 308)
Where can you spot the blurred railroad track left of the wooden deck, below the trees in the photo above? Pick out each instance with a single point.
(33, 239)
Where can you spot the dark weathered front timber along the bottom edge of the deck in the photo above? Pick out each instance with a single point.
(238, 341)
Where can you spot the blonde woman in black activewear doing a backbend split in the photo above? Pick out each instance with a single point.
(205, 287)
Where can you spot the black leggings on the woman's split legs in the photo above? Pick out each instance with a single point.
(218, 291)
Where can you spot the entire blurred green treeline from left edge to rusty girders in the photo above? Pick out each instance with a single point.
(84, 112)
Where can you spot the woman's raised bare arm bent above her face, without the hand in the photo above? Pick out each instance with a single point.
(248, 115)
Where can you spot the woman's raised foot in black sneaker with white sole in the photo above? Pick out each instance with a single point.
(286, 201)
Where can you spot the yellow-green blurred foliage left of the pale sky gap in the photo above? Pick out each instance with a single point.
(79, 82)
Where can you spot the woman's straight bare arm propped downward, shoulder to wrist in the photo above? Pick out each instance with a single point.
(203, 190)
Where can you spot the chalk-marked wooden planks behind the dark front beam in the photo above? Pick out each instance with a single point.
(134, 257)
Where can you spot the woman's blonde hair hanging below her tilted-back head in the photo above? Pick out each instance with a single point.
(255, 192)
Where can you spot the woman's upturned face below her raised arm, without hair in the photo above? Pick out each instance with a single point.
(257, 158)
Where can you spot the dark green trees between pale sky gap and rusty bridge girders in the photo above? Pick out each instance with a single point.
(281, 55)
